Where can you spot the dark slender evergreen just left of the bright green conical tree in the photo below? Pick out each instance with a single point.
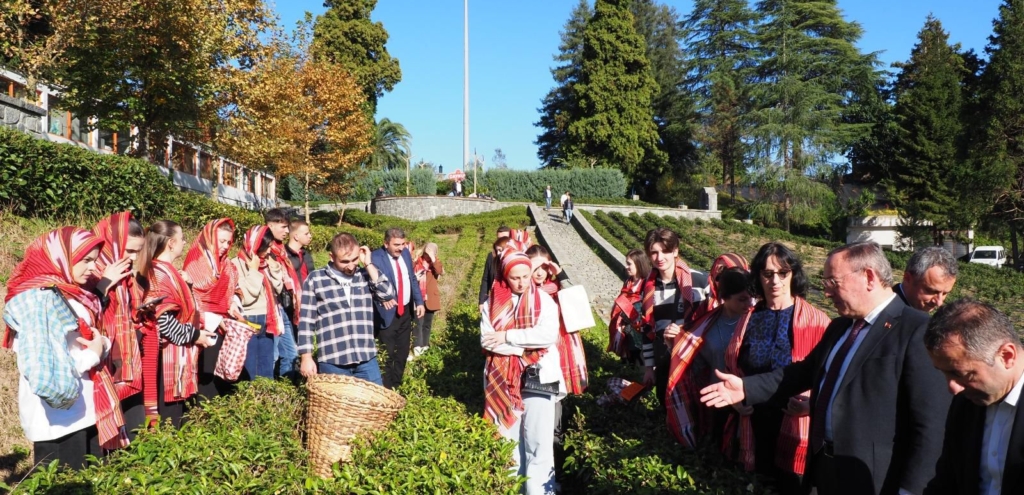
(560, 106)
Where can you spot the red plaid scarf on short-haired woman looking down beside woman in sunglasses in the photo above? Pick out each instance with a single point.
(689, 420)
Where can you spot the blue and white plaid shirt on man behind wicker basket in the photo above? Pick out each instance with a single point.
(337, 314)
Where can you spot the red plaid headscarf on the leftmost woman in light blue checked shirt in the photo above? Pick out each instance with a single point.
(49, 263)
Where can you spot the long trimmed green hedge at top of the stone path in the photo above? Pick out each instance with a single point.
(529, 186)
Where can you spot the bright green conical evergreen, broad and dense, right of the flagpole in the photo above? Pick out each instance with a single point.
(615, 94)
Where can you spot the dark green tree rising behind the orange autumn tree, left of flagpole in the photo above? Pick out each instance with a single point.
(348, 37)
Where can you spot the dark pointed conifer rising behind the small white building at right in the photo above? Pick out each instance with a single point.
(922, 177)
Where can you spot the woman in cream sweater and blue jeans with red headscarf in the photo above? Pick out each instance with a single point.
(261, 277)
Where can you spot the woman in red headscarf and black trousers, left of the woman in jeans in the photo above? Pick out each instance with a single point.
(215, 281)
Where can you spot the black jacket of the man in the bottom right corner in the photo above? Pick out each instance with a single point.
(959, 471)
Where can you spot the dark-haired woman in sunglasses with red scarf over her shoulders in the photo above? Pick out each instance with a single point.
(772, 438)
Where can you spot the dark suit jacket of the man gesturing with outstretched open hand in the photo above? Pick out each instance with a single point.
(888, 411)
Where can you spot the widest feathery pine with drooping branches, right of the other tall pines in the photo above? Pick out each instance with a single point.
(808, 79)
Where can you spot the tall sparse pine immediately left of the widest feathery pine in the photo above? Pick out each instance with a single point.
(720, 57)
